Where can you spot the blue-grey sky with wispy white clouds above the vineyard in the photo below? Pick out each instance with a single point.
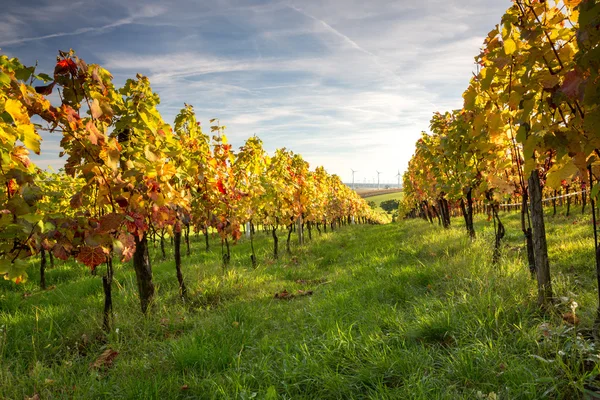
(347, 84)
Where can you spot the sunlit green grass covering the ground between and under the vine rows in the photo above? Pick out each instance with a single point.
(400, 311)
